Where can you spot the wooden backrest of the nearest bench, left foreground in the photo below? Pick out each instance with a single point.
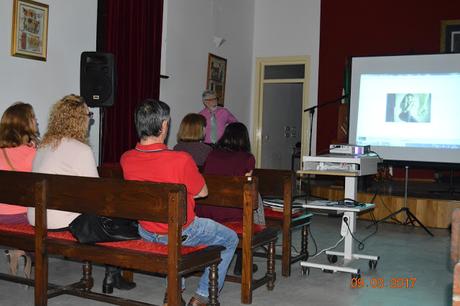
(100, 196)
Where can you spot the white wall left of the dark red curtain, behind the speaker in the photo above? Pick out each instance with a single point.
(71, 30)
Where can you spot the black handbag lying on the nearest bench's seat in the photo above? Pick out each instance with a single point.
(88, 228)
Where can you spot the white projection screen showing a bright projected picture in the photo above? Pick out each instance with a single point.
(407, 107)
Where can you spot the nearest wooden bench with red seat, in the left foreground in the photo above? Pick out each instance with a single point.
(108, 197)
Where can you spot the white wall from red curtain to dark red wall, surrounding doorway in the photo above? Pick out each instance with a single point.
(251, 28)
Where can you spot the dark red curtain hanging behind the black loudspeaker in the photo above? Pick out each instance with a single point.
(132, 32)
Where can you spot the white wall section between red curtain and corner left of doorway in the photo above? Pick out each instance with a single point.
(189, 28)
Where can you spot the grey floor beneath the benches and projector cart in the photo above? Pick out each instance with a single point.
(406, 253)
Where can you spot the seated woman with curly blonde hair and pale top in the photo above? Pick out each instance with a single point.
(65, 150)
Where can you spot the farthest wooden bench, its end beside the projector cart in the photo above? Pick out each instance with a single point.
(281, 184)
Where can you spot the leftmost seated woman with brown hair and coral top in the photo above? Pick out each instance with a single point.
(18, 140)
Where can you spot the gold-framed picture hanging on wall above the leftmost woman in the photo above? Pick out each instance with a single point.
(30, 29)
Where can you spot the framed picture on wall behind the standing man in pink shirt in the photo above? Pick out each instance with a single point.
(217, 70)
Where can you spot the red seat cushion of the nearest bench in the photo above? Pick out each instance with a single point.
(135, 245)
